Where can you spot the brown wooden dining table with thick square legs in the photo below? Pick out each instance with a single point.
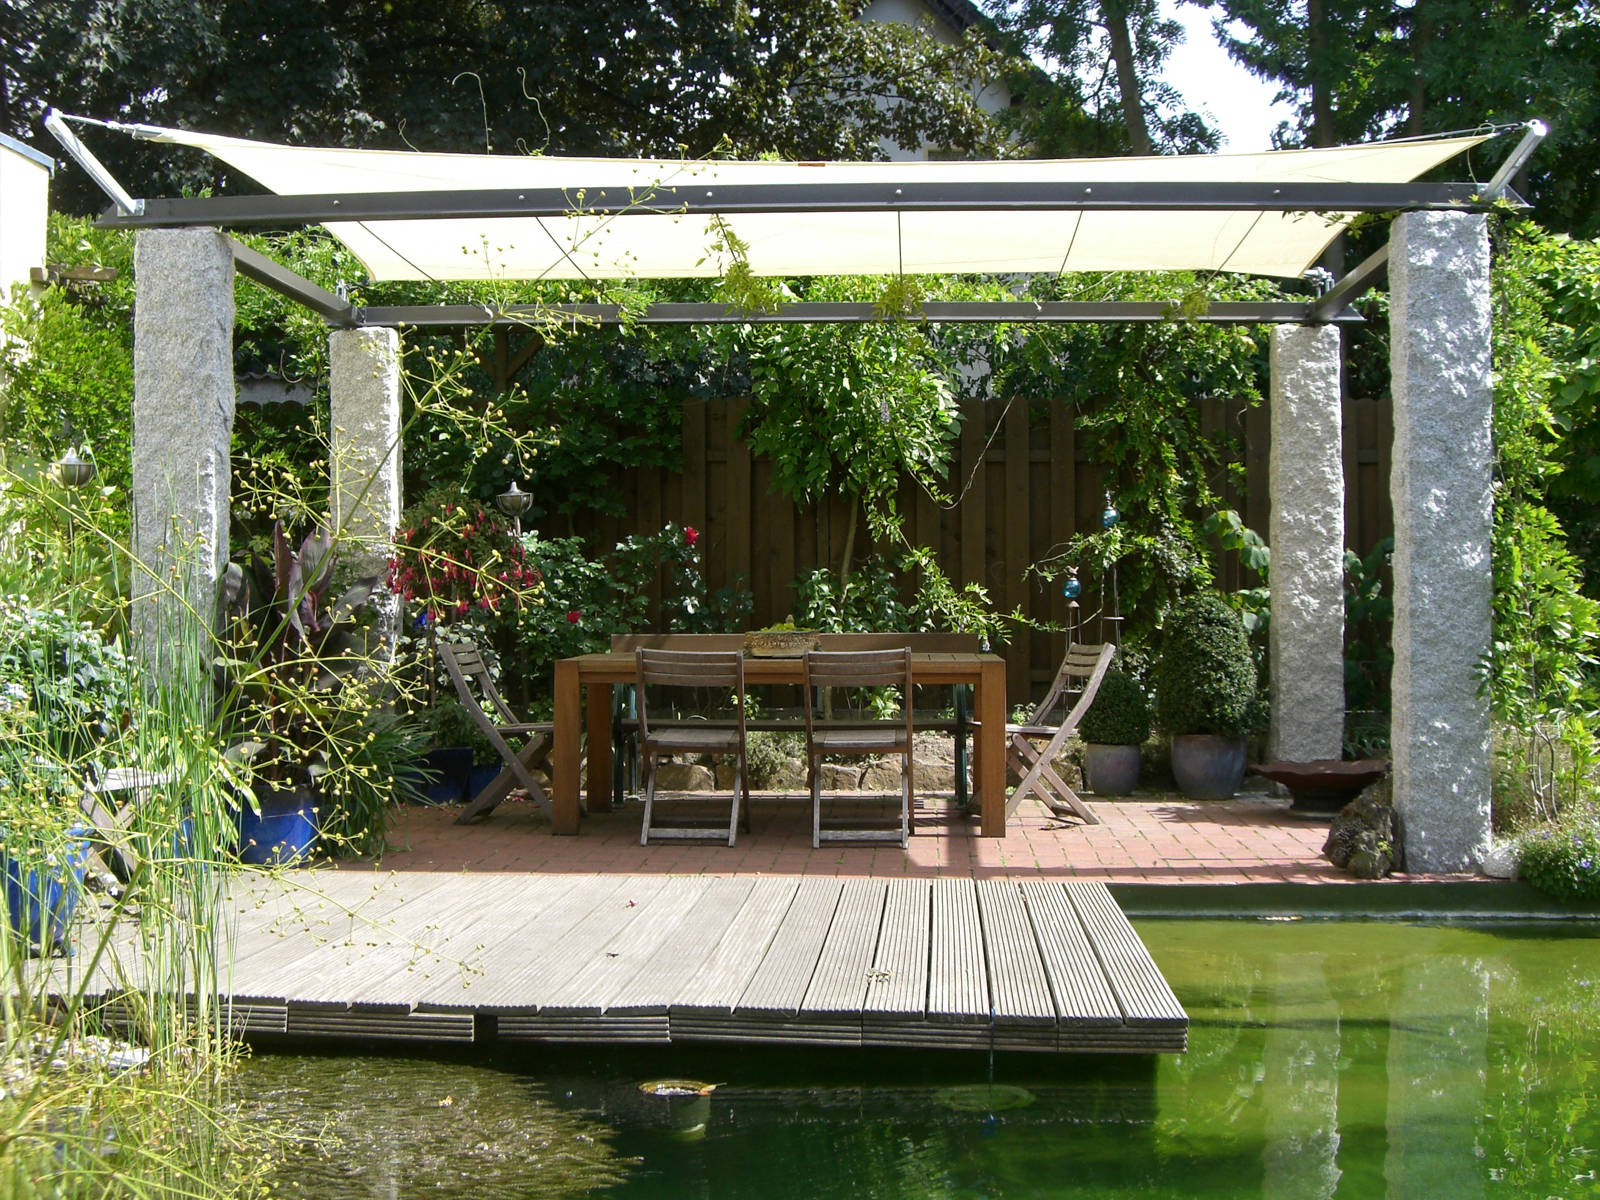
(583, 705)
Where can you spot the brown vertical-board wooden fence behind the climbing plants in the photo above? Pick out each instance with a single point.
(1020, 489)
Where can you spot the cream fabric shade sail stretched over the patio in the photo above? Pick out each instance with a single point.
(641, 244)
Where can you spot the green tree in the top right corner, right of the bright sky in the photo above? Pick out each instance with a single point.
(1361, 70)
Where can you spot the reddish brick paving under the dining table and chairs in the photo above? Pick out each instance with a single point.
(1156, 839)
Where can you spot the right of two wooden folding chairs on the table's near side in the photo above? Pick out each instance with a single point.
(858, 670)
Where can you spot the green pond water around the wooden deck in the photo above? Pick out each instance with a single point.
(1327, 1060)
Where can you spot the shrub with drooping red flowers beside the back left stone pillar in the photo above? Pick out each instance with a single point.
(452, 558)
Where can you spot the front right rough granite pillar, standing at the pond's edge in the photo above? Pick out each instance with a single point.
(1439, 319)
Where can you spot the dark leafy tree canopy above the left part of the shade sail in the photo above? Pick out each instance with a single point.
(631, 78)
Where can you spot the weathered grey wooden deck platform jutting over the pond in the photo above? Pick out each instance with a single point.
(844, 962)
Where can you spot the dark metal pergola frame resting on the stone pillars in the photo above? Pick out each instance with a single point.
(270, 210)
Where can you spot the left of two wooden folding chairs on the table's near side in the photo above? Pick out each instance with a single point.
(692, 670)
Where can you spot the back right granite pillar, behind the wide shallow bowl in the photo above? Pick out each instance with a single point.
(1306, 534)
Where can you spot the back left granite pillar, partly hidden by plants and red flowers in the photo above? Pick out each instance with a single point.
(364, 386)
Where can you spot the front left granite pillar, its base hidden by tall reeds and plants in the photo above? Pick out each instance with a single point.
(183, 426)
